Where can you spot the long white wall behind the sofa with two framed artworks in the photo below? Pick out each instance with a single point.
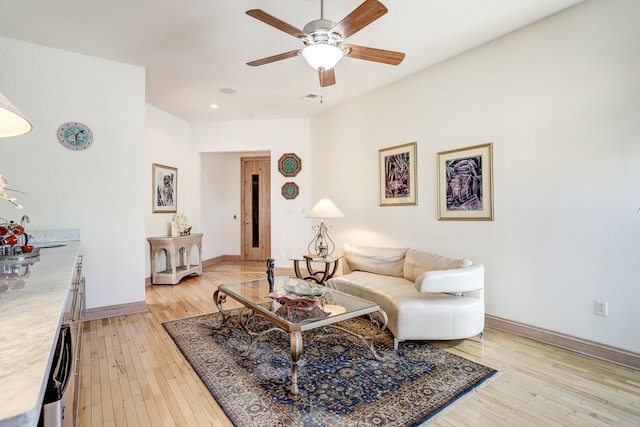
(560, 100)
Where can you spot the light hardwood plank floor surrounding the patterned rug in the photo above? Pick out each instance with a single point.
(133, 374)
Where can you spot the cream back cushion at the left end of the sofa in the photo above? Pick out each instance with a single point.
(385, 261)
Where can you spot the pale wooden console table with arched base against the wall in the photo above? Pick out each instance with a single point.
(173, 247)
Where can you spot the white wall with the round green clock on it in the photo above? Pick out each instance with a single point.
(100, 190)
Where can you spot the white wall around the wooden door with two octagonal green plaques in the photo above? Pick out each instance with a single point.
(290, 231)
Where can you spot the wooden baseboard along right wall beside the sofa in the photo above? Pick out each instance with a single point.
(579, 345)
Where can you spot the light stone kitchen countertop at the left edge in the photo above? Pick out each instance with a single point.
(30, 315)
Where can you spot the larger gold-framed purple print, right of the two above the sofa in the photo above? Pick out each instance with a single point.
(465, 183)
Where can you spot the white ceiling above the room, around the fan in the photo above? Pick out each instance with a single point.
(193, 48)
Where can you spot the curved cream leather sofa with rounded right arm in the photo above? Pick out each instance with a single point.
(426, 296)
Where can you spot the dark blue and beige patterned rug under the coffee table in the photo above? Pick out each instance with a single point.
(340, 382)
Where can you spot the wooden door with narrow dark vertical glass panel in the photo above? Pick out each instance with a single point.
(256, 208)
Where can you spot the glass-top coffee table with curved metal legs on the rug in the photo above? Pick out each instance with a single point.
(333, 307)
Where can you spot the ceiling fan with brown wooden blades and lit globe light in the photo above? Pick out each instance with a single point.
(323, 40)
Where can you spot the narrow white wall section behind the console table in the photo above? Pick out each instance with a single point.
(166, 142)
